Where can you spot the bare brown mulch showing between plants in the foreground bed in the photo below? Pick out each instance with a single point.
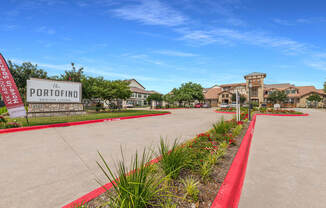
(208, 189)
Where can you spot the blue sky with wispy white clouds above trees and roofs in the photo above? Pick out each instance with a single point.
(165, 43)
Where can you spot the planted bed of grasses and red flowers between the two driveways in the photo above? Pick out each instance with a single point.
(186, 175)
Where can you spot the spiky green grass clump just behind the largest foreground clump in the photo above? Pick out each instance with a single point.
(172, 158)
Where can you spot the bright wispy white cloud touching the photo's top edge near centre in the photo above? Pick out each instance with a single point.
(151, 12)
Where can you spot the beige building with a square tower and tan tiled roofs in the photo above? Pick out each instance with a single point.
(259, 92)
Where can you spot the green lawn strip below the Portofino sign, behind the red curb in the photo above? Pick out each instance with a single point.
(90, 116)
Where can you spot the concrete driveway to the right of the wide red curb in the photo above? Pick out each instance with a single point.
(287, 163)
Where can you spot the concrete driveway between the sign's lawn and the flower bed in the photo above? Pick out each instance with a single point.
(52, 167)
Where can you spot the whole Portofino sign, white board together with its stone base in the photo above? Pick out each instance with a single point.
(53, 98)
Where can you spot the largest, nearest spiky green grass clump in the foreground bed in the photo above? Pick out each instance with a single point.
(135, 186)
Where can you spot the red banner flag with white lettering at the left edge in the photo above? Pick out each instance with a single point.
(9, 91)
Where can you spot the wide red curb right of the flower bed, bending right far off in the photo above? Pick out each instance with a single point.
(229, 193)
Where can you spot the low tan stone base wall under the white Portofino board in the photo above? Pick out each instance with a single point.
(55, 109)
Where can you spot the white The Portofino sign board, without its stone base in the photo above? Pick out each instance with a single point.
(52, 91)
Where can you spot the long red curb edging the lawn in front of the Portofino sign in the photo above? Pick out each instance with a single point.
(29, 128)
